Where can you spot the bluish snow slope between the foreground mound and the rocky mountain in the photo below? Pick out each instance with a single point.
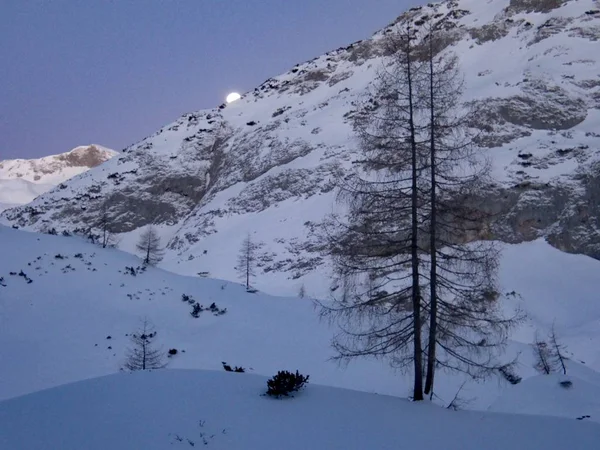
(72, 320)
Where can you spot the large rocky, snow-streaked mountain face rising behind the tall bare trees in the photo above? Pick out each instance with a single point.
(266, 164)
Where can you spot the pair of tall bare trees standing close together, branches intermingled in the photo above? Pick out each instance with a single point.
(408, 245)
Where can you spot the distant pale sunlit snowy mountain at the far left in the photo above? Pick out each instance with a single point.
(21, 180)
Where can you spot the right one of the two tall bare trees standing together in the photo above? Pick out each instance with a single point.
(467, 331)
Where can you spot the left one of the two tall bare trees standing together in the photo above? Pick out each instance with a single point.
(376, 249)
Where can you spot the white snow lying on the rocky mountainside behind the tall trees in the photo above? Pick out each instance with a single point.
(216, 222)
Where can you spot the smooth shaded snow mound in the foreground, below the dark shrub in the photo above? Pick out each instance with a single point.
(191, 409)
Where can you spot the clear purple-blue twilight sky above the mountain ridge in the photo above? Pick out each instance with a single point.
(111, 72)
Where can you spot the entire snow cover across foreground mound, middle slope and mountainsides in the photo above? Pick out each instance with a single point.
(55, 330)
